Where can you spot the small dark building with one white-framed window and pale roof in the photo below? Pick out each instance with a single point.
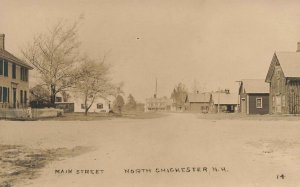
(254, 96)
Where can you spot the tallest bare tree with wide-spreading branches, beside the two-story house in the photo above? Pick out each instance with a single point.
(54, 55)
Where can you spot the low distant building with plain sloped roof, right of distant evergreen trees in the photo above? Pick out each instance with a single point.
(199, 102)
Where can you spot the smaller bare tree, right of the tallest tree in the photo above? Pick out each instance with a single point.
(94, 82)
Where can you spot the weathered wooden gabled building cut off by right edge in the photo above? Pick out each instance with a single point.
(283, 78)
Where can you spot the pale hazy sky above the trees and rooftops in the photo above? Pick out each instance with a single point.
(210, 43)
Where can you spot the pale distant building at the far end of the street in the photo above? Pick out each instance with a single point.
(158, 104)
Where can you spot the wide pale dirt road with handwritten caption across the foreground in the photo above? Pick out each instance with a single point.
(176, 150)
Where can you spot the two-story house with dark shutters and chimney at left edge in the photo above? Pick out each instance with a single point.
(14, 85)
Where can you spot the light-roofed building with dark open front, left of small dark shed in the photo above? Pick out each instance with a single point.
(224, 101)
